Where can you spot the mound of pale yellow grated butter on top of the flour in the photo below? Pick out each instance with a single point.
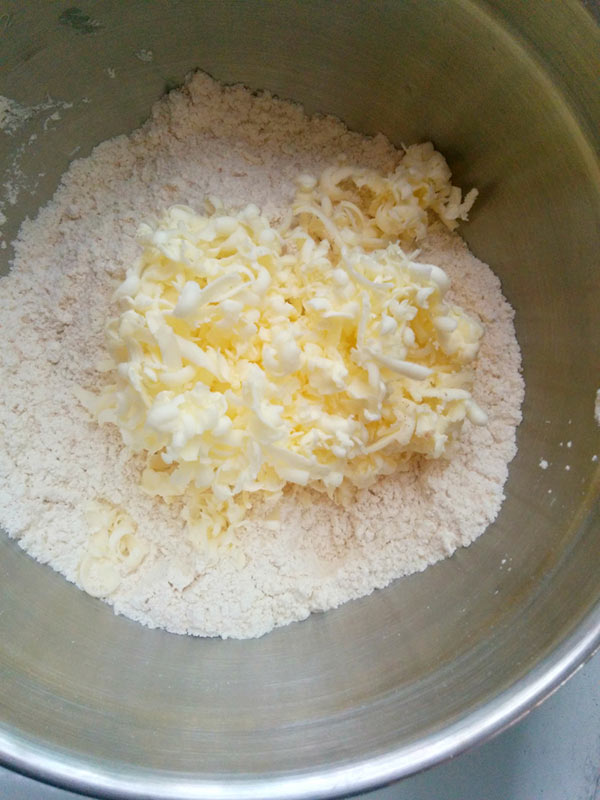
(318, 352)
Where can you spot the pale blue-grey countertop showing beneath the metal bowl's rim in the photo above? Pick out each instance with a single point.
(552, 754)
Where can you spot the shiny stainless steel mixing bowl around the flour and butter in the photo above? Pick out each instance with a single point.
(435, 663)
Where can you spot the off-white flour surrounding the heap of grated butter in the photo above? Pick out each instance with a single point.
(54, 459)
